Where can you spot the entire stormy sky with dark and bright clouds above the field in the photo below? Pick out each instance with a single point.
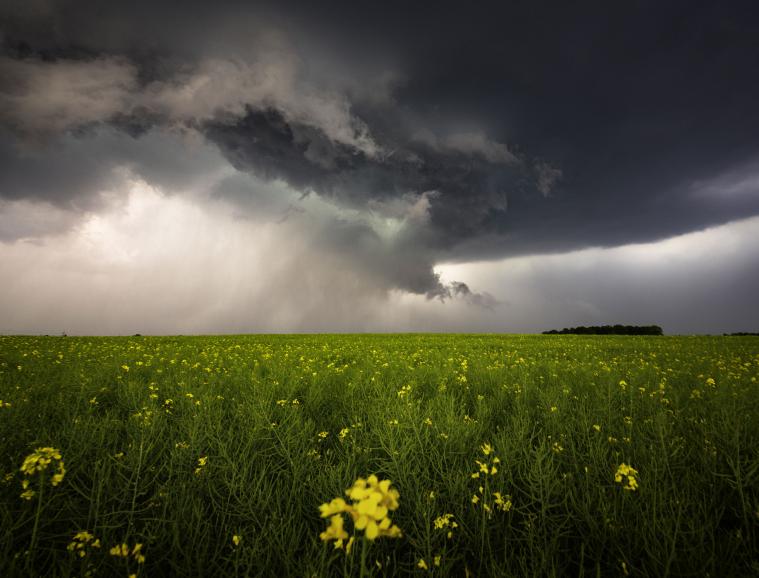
(235, 167)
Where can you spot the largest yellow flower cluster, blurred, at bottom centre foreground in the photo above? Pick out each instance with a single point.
(372, 501)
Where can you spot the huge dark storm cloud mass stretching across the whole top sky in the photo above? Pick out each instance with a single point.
(520, 128)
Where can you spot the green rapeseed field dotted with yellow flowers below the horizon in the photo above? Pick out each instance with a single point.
(507, 455)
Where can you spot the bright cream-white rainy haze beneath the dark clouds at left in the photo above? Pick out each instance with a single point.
(296, 275)
